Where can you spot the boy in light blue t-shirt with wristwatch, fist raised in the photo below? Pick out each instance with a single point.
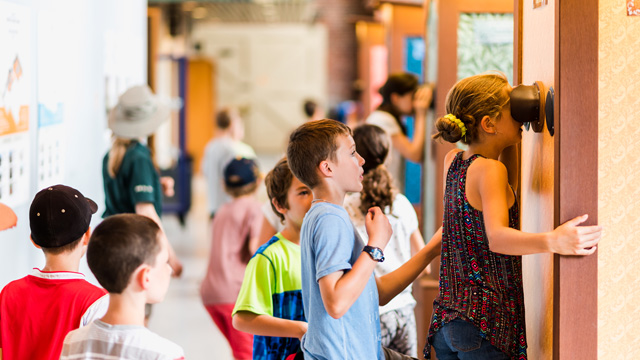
(339, 291)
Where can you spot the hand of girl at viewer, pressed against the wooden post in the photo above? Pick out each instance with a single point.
(571, 239)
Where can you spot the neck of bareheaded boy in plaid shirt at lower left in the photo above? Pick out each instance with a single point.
(125, 309)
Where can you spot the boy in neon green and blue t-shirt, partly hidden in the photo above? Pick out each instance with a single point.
(270, 301)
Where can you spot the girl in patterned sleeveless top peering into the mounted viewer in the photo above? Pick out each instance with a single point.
(480, 301)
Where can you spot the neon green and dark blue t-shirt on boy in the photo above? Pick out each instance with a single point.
(272, 286)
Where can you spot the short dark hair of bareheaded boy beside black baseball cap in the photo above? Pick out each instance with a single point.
(118, 246)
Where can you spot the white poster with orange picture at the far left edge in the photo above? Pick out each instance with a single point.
(15, 93)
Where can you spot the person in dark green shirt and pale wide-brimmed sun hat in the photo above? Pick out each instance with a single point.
(131, 182)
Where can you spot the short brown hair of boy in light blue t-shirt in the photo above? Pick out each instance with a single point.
(310, 144)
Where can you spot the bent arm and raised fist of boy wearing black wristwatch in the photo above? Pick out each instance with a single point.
(339, 290)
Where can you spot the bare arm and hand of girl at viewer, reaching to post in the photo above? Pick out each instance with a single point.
(567, 239)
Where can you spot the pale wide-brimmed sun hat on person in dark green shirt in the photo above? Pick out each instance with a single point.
(138, 113)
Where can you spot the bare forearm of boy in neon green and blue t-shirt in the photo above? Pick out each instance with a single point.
(266, 325)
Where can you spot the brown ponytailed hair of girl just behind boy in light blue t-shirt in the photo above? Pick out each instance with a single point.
(372, 143)
